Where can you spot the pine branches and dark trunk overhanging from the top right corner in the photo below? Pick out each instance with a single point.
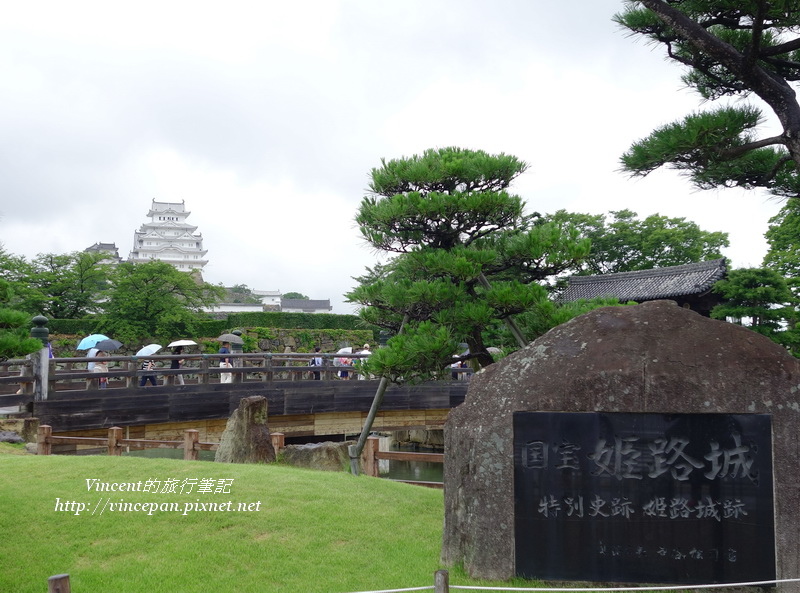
(740, 48)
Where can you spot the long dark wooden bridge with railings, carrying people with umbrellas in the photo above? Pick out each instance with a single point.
(62, 393)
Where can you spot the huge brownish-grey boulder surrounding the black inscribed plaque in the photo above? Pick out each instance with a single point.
(649, 358)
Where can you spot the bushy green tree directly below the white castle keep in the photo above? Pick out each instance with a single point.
(154, 300)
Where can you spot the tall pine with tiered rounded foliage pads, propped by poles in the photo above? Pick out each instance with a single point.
(465, 255)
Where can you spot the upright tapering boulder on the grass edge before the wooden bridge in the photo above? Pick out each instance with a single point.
(246, 438)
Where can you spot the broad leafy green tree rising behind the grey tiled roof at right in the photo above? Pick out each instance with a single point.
(621, 242)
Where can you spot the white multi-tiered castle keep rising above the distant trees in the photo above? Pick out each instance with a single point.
(167, 237)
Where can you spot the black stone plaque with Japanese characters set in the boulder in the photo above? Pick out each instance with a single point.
(644, 498)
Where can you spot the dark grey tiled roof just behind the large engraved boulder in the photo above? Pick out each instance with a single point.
(648, 285)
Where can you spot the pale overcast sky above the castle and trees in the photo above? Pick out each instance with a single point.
(266, 118)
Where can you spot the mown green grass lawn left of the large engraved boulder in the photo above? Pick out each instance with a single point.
(297, 531)
